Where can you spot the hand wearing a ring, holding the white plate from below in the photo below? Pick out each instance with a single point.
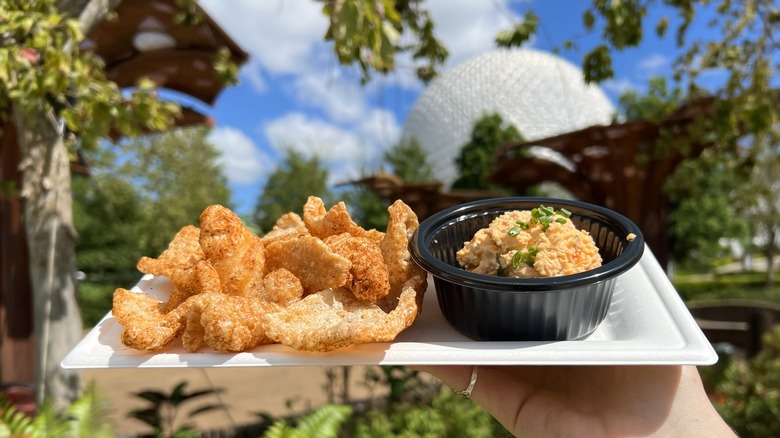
(592, 401)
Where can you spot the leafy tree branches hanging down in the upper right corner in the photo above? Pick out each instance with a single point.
(747, 51)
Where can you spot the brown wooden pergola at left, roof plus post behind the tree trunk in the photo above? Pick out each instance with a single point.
(143, 40)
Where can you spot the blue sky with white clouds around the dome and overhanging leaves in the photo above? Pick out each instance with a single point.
(293, 93)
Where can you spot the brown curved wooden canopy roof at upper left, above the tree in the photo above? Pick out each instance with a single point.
(145, 40)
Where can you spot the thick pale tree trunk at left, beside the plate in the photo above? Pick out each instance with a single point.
(47, 209)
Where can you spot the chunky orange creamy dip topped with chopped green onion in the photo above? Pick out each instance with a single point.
(530, 243)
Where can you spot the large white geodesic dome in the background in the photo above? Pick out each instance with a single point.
(541, 94)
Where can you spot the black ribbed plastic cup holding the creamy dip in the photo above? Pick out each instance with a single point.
(492, 308)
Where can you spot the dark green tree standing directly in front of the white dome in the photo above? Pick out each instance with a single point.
(475, 161)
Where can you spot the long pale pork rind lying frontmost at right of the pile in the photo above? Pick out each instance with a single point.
(334, 318)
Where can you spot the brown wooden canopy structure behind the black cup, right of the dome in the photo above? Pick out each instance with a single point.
(617, 166)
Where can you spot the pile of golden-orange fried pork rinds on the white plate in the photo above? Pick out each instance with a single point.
(315, 283)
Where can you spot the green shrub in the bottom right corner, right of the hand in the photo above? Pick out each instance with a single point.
(748, 396)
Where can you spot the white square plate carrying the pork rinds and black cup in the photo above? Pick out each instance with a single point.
(647, 323)
